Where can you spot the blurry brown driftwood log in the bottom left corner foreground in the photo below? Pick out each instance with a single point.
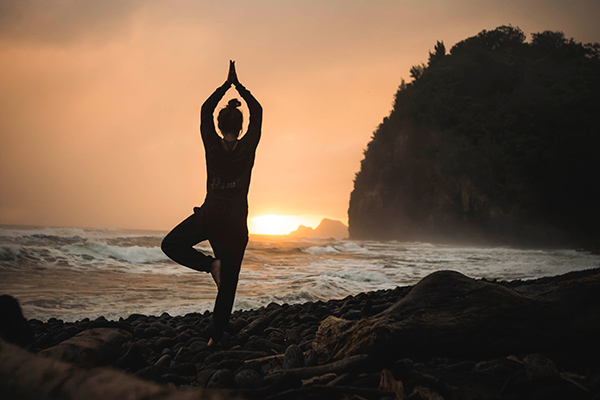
(26, 376)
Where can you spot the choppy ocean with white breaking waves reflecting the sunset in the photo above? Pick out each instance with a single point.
(71, 274)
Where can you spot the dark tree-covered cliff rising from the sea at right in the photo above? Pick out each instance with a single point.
(499, 138)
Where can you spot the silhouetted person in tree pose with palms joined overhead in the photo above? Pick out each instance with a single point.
(222, 218)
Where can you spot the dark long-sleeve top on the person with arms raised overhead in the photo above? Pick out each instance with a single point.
(229, 172)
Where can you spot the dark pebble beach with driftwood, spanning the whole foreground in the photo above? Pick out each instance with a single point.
(448, 337)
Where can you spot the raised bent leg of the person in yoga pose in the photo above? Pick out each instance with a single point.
(178, 244)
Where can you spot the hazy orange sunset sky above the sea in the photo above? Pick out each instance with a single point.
(99, 101)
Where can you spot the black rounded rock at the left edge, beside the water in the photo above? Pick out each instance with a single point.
(13, 326)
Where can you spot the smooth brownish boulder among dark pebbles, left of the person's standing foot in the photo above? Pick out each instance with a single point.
(92, 347)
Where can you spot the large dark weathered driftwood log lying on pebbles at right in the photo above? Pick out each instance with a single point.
(449, 314)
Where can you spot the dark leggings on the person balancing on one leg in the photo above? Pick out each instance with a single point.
(224, 226)
